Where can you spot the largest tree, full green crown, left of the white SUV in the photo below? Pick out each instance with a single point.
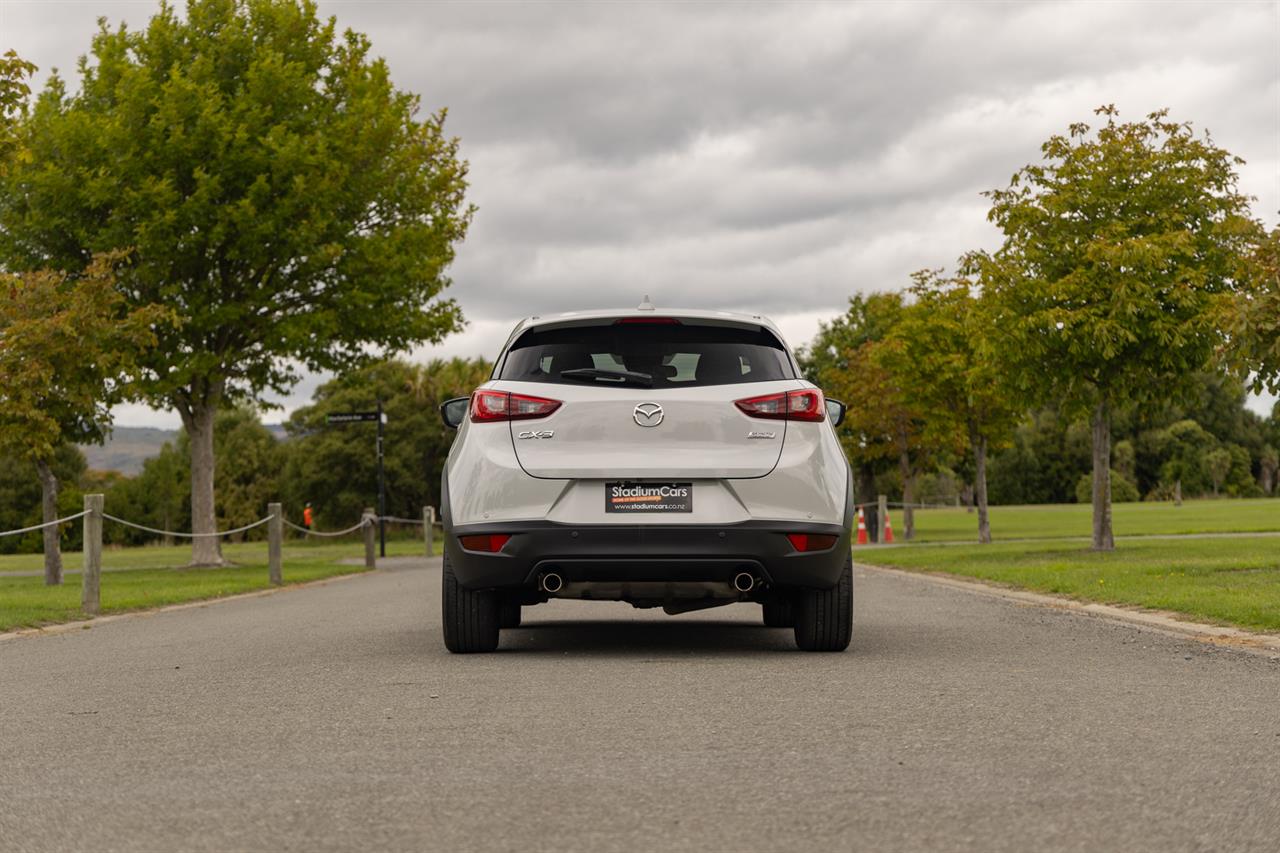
(275, 186)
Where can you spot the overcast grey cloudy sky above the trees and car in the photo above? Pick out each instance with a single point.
(760, 157)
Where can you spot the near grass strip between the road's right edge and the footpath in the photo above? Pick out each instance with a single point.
(1226, 581)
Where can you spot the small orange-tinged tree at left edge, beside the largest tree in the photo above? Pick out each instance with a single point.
(68, 350)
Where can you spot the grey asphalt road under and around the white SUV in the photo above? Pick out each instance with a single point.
(332, 718)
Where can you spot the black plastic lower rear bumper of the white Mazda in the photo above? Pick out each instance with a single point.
(647, 553)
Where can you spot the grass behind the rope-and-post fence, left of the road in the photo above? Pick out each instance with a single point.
(153, 577)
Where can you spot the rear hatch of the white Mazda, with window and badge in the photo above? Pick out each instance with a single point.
(652, 400)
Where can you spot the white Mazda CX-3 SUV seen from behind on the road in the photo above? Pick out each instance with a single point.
(671, 460)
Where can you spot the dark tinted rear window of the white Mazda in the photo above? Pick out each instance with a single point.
(648, 355)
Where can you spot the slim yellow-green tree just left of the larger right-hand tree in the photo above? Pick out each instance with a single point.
(948, 346)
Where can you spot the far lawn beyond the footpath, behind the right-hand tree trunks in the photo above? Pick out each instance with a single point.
(1062, 521)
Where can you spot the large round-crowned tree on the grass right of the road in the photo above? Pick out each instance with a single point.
(1117, 250)
